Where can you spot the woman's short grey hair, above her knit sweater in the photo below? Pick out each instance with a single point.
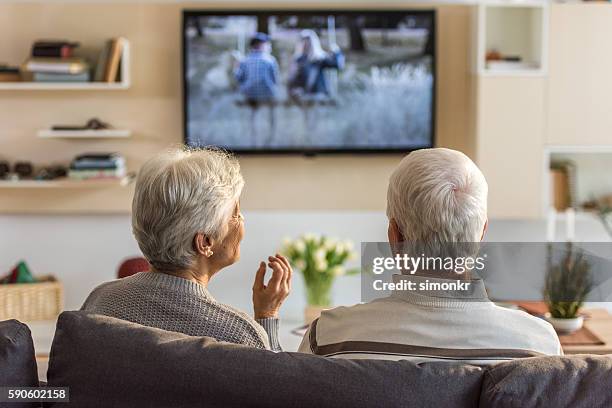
(178, 194)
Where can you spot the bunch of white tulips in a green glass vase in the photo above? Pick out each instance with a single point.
(320, 260)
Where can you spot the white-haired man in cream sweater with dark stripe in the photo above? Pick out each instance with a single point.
(436, 197)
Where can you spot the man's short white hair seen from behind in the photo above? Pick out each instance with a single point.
(438, 196)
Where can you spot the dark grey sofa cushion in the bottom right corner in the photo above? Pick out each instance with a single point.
(570, 381)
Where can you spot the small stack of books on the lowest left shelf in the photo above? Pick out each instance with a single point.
(97, 165)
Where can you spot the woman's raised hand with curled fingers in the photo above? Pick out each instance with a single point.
(268, 298)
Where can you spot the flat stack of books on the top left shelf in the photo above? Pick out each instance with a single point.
(54, 61)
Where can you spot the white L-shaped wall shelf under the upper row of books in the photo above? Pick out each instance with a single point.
(124, 83)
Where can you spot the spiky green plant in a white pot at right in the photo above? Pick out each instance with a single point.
(567, 286)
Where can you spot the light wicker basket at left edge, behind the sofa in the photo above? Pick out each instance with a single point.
(31, 301)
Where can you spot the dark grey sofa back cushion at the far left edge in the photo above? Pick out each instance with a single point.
(17, 359)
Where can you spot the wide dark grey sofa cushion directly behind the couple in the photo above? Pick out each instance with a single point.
(110, 362)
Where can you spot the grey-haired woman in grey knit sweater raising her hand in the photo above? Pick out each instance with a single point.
(187, 221)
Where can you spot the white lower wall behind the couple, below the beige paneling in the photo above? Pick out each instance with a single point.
(83, 251)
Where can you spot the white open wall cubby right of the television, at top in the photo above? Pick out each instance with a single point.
(512, 28)
